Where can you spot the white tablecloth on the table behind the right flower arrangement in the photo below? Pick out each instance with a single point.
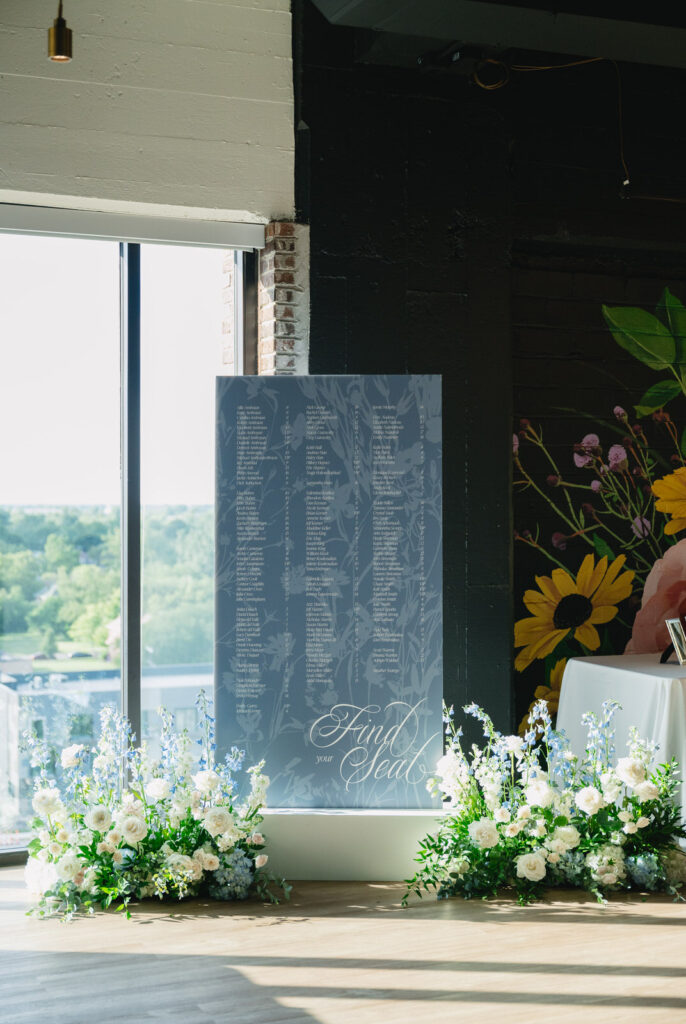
(653, 699)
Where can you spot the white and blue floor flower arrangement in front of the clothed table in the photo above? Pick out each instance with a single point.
(528, 814)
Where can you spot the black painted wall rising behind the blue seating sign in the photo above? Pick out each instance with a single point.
(419, 188)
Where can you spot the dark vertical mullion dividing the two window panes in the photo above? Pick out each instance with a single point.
(131, 425)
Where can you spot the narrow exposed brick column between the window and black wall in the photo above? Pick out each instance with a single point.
(284, 301)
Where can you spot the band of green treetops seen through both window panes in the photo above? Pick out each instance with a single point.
(60, 582)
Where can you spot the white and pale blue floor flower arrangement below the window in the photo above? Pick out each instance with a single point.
(128, 827)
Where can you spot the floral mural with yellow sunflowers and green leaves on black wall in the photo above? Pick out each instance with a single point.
(612, 530)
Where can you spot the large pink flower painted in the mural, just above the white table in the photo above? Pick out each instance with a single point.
(664, 598)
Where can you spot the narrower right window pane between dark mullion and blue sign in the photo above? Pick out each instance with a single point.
(181, 349)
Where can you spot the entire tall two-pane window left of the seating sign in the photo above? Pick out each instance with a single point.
(63, 637)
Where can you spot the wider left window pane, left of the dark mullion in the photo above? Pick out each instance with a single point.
(60, 502)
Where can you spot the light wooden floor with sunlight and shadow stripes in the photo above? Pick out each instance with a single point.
(345, 953)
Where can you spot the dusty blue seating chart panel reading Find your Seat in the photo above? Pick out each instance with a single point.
(329, 632)
